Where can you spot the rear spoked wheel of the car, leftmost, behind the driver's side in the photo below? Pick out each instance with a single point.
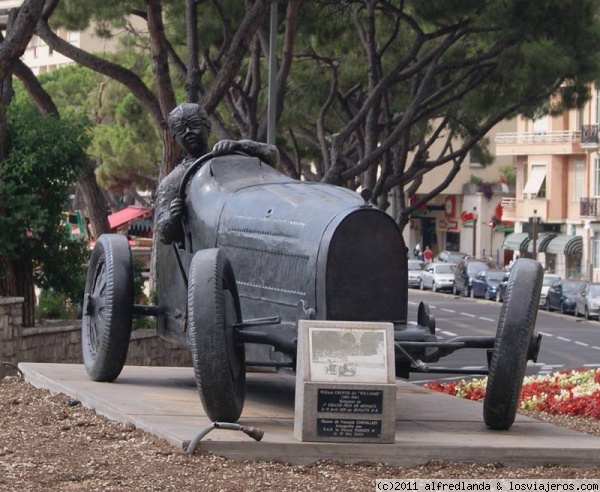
(107, 308)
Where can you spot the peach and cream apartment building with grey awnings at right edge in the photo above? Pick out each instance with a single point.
(555, 207)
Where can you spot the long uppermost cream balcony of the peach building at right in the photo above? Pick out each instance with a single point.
(532, 143)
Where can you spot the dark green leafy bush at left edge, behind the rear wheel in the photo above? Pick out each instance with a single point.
(45, 158)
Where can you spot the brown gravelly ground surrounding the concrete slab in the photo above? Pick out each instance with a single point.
(47, 444)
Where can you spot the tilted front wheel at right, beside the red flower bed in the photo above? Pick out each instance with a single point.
(511, 346)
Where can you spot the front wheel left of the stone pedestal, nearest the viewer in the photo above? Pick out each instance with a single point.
(219, 361)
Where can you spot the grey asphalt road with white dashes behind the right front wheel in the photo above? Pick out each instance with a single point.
(567, 342)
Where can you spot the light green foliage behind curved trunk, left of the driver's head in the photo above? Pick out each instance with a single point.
(125, 141)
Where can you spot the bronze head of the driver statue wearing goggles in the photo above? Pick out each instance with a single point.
(191, 128)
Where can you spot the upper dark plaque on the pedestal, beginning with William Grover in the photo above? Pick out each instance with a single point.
(350, 401)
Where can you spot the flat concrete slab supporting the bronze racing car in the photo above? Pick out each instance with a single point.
(429, 425)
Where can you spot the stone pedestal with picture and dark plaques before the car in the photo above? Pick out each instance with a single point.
(345, 382)
